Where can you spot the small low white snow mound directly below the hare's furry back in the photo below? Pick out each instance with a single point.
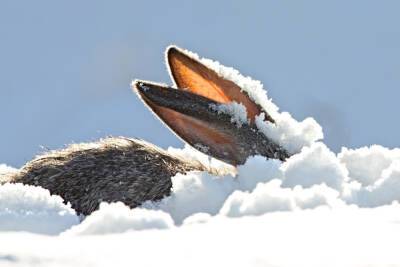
(118, 218)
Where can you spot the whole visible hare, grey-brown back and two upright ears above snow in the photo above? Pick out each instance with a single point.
(134, 171)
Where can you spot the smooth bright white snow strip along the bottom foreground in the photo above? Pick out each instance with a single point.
(319, 237)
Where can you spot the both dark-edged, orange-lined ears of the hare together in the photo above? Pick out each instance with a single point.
(190, 110)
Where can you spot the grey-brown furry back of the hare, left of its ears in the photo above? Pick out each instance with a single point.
(113, 169)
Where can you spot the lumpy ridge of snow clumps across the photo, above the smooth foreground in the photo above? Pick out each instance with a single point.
(315, 178)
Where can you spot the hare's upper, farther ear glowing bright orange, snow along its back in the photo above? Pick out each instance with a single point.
(190, 74)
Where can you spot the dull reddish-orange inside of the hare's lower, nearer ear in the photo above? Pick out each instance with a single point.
(196, 132)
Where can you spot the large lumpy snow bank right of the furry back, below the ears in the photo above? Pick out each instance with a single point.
(313, 178)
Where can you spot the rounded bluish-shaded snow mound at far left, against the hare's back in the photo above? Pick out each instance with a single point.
(30, 208)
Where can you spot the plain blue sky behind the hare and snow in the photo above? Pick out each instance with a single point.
(66, 66)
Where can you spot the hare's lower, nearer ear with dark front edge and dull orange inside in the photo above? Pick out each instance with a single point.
(190, 118)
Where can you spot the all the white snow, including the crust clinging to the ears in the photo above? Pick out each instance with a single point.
(317, 208)
